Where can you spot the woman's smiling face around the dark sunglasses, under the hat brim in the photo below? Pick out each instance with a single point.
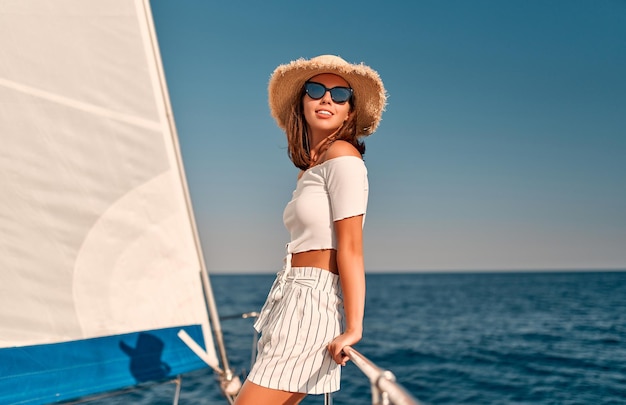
(325, 115)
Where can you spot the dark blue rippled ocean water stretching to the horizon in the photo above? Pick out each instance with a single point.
(479, 338)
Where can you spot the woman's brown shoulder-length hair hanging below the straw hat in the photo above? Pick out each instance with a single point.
(298, 147)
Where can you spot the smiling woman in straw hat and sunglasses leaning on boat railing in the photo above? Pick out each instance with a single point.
(315, 308)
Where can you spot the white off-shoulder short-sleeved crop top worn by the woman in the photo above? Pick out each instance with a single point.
(333, 190)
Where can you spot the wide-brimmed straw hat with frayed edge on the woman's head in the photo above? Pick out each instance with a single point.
(369, 93)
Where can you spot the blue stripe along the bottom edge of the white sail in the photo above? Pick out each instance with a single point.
(55, 372)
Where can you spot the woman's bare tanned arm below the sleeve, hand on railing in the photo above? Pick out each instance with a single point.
(351, 267)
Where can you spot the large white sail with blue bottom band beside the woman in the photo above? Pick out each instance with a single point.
(99, 260)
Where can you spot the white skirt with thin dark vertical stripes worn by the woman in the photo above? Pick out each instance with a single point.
(302, 315)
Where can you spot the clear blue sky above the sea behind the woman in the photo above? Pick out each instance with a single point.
(503, 146)
